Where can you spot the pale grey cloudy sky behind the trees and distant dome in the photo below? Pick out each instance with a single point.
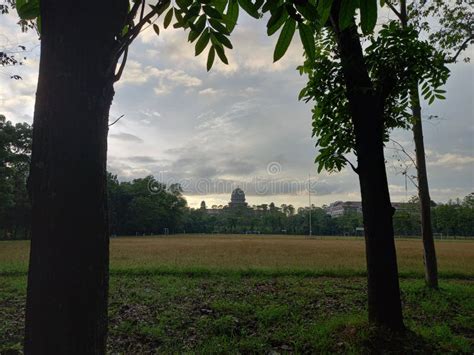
(241, 124)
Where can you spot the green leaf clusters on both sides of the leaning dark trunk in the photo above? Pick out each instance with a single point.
(396, 59)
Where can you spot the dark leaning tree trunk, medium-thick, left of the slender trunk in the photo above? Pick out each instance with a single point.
(367, 115)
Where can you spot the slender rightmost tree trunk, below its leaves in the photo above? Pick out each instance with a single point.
(431, 266)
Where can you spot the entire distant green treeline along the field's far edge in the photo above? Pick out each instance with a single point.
(145, 206)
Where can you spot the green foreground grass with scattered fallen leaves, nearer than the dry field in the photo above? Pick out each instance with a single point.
(229, 314)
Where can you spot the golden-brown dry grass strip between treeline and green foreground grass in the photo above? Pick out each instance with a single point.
(275, 253)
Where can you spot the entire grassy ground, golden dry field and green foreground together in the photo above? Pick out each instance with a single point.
(215, 294)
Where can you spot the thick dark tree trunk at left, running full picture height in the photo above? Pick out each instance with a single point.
(66, 310)
